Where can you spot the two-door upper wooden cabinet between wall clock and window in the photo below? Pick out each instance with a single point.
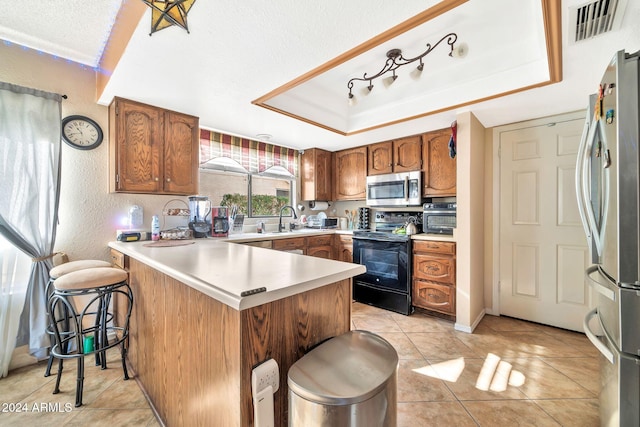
(152, 150)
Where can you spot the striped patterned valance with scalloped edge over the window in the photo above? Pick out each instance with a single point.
(254, 156)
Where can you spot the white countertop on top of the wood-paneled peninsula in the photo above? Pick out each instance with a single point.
(223, 270)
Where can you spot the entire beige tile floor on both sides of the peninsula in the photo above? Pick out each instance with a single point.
(508, 372)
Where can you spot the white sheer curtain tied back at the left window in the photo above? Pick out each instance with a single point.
(29, 194)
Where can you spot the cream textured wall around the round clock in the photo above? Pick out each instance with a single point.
(89, 214)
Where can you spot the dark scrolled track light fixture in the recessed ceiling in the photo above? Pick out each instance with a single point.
(394, 61)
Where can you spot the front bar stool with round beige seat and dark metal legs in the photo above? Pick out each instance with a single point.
(86, 296)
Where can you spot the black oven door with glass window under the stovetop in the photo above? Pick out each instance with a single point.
(387, 262)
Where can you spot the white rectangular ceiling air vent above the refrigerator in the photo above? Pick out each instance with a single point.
(595, 18)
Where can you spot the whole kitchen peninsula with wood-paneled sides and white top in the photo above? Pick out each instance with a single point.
(194, 338)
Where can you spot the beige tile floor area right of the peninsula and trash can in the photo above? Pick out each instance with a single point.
(508, 372)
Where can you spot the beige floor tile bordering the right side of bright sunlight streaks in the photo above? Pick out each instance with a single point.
(542, 381)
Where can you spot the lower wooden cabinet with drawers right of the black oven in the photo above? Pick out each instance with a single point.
(434, 278)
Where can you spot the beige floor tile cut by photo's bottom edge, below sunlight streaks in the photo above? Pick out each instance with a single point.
(522, 413)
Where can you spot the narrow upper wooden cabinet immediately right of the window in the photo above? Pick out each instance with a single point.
(316, 175)
